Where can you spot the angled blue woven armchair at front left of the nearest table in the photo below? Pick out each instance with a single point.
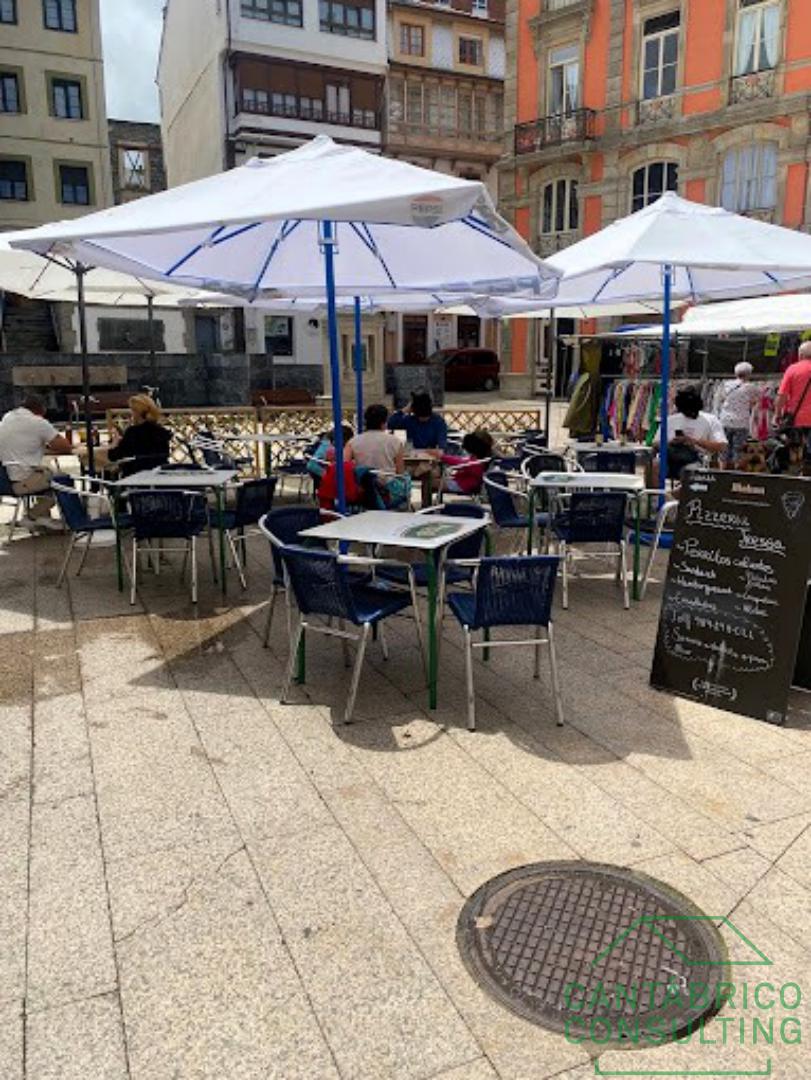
(323, 587)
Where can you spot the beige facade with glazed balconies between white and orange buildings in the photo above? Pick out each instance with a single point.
(444, 102)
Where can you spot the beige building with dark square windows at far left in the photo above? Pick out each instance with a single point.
(55, 154)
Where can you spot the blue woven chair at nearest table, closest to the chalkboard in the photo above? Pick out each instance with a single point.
(510, 591)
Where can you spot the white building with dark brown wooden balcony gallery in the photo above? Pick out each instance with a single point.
(241, 78)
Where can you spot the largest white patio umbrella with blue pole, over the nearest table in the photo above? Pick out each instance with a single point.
(321, 220)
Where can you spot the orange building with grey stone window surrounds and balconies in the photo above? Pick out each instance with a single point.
(611, 103)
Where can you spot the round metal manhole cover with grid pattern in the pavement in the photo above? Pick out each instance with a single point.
(601, 953)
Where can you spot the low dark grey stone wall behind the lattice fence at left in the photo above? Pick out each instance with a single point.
(185, 381)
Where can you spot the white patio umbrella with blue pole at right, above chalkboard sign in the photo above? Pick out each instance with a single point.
(677, 250)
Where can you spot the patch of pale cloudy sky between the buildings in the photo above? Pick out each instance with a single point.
(131, 34)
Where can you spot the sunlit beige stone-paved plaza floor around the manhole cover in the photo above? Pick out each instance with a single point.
(198, 883)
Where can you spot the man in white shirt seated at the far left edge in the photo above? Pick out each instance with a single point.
(25, 438)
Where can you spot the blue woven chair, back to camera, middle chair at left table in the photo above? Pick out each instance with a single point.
(168, 515)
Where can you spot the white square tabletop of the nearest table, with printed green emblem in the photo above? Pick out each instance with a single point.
(420, 532)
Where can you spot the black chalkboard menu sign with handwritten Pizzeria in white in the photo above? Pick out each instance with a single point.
(735, 597)
